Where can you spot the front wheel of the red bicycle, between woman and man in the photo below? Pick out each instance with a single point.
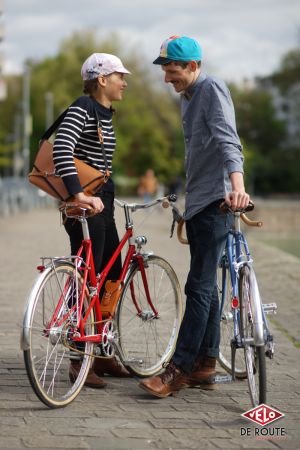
(146, 342)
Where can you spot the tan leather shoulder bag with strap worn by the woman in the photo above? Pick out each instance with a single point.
(44, 176)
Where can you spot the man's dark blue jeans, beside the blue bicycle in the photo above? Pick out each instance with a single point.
(200, 328)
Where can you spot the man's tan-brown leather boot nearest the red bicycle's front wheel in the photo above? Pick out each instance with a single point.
(167, 383)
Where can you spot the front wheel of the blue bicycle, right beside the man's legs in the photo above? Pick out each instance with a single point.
(227, 327)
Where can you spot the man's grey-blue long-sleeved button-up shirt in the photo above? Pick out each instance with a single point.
(212, 147)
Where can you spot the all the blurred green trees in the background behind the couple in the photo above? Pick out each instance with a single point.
(147, 121)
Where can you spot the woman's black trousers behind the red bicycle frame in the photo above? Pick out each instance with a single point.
(103, 233)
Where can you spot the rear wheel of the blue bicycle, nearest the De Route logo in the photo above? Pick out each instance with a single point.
(255, 359)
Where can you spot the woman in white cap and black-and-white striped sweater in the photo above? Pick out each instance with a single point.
(103, 82)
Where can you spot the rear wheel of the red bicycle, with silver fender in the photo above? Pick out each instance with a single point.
(47, 354)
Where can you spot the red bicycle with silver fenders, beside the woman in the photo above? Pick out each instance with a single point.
(74, 313)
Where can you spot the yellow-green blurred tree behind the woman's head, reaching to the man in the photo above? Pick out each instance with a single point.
(146, 121)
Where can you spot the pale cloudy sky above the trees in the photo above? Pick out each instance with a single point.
(240, 39)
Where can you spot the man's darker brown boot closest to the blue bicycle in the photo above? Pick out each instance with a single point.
(203, 373)
